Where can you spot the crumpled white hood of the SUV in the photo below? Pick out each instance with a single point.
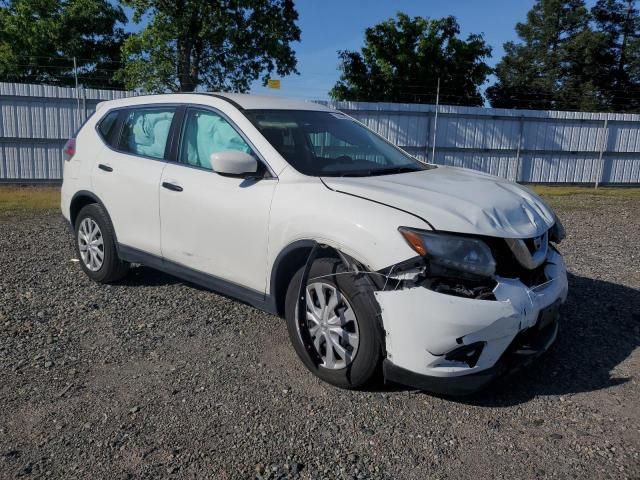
(456, 200)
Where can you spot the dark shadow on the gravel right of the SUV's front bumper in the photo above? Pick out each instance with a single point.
(599, 329)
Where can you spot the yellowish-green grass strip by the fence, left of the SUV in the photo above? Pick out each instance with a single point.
(20, 199)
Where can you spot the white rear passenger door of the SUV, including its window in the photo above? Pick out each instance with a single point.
(127, 174)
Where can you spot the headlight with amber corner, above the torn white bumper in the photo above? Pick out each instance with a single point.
(453, 252)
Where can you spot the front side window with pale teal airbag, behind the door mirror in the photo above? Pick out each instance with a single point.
(206, 132)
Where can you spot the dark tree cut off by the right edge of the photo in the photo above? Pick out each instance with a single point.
(619, 73)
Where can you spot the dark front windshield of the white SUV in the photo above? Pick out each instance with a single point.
(330, 144)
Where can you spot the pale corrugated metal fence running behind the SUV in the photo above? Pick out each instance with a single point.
(523, 145)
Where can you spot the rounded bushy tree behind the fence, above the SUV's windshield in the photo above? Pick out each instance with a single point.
(403, 58)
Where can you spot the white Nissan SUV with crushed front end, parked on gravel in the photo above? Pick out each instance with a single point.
(441, 277)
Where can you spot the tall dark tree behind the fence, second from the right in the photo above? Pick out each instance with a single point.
(546, 69)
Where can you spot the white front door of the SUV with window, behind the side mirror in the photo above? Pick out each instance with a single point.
(214, 223)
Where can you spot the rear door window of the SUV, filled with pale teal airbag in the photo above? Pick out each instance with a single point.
(145, 131)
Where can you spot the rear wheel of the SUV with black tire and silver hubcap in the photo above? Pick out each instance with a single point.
(103, 243)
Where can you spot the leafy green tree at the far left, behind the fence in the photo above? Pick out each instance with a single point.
(39, 38)
